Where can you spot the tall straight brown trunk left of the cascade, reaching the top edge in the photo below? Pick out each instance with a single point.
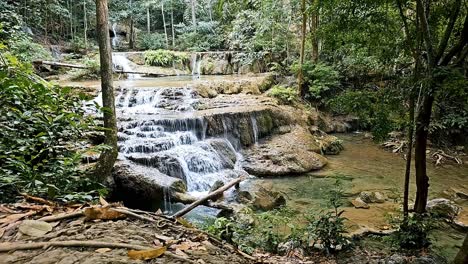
(106, 161)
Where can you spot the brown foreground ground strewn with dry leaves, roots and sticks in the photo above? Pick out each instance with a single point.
(43, 232)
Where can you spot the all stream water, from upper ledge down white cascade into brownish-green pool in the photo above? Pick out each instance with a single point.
(160, 127)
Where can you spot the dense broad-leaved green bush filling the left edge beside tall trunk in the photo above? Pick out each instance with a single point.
(37, 122)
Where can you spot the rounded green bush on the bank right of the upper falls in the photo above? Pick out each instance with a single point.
(322, 80)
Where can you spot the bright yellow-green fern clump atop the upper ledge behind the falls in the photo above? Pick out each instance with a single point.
(165, 58)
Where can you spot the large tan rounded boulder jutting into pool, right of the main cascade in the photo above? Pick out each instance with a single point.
(287, 154)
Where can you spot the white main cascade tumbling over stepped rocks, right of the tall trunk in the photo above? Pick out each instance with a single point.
(162, 131)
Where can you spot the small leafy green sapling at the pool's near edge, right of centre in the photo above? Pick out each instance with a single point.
(328, 226)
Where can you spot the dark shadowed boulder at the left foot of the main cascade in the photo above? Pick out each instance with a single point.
(137, 190)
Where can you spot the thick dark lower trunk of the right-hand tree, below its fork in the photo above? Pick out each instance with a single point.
(422, 131)
